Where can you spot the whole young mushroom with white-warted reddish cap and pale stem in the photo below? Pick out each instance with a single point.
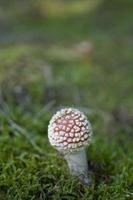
(70, 132)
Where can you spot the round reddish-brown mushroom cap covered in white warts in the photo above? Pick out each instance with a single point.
(69, 130)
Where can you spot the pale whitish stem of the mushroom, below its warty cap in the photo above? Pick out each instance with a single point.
(78, 166)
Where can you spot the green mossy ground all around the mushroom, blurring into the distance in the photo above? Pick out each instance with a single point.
(41, 69)
